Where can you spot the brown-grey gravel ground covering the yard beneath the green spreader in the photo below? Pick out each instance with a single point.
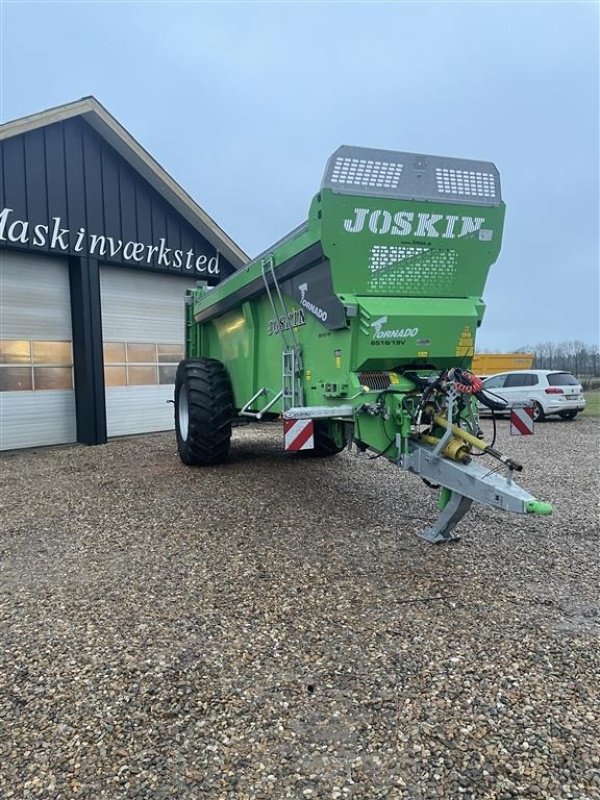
(272, 628)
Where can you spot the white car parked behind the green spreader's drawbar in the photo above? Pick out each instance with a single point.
(549, 391)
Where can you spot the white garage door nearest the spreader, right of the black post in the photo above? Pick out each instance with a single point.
(143, 335)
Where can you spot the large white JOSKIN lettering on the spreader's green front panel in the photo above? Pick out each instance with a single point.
(408, 223)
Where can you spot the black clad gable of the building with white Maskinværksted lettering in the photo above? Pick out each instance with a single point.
(65, 190)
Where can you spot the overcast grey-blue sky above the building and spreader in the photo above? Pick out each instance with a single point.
(243, 102)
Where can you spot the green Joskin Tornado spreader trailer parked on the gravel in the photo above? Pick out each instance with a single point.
(359, 328)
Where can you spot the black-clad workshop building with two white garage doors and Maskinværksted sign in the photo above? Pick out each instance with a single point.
(97, 247)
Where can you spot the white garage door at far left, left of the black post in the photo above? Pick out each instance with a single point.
(37, 401)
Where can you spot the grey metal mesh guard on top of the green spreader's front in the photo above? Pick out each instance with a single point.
(410, 176)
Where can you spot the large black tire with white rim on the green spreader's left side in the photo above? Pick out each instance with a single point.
(203, 389)
